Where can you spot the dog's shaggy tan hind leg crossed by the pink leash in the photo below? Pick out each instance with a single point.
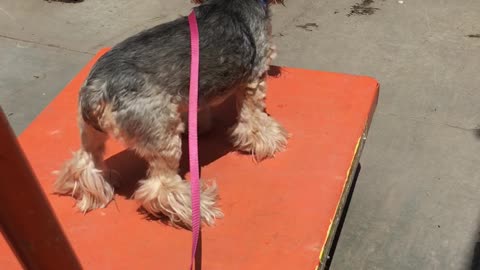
(164, 192)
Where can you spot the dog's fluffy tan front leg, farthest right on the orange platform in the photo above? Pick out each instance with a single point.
(255, 131)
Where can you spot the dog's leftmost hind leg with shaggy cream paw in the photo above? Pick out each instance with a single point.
(82, 176)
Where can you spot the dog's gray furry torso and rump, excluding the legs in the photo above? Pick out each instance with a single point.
(141, 76)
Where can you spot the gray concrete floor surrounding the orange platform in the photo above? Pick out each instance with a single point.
(416, 201)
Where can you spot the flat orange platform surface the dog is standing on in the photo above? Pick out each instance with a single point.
(279, 214)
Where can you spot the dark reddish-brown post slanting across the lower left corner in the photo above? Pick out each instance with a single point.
(26, 218)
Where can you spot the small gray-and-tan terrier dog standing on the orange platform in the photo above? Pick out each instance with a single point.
(138, 93)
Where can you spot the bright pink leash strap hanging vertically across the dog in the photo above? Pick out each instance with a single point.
(192, 134)
